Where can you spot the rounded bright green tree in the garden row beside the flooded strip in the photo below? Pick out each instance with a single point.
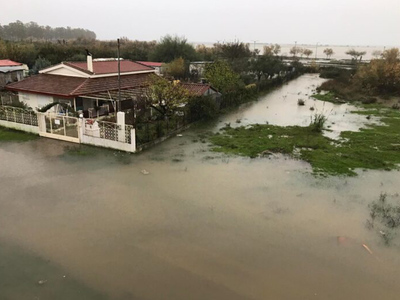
(221, 76)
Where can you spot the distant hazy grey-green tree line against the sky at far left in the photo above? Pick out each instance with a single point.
(18, 31)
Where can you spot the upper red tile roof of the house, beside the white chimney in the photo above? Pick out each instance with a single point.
(108, 66)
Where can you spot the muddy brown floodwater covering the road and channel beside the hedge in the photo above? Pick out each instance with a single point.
(200, 225)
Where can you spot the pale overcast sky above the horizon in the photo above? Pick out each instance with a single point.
(335, 22)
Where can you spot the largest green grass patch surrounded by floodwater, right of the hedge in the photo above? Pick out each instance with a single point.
(376, 147)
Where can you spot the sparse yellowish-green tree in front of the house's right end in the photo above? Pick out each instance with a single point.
(165, 96)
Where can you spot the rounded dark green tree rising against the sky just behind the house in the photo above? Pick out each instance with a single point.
(173, 47)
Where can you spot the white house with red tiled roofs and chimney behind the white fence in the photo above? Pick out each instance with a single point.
(84, 86)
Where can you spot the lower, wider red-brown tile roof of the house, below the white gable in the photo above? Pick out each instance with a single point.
(67, 86)
